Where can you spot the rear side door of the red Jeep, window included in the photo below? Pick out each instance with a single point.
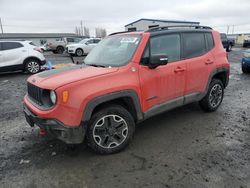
(199, 59)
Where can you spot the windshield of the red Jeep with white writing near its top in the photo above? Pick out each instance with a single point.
(113, 51)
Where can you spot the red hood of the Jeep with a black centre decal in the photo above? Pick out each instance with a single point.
(53, 79)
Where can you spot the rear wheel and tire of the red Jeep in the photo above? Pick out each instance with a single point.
(214, 96)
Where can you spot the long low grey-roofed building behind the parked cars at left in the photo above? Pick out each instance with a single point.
(38, 38)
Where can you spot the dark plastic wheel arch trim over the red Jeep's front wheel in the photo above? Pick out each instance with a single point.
(127, 99)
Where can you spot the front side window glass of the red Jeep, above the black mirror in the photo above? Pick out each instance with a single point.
(168, 45)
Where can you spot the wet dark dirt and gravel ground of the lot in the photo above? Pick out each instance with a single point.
(182, 148)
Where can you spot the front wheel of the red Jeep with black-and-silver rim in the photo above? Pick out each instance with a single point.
(110, 130)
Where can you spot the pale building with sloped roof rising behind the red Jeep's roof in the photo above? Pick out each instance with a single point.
(144, 24)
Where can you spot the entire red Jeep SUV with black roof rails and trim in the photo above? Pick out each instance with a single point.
(127, 78)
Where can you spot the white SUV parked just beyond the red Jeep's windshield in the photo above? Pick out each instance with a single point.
(83, 47)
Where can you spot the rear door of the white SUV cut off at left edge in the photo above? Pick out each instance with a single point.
(13, 54)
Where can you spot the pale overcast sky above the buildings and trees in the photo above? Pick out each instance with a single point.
(64, 15)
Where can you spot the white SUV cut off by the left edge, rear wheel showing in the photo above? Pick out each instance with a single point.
(20, 55)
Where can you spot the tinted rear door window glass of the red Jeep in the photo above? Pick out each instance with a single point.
(193, 45)
